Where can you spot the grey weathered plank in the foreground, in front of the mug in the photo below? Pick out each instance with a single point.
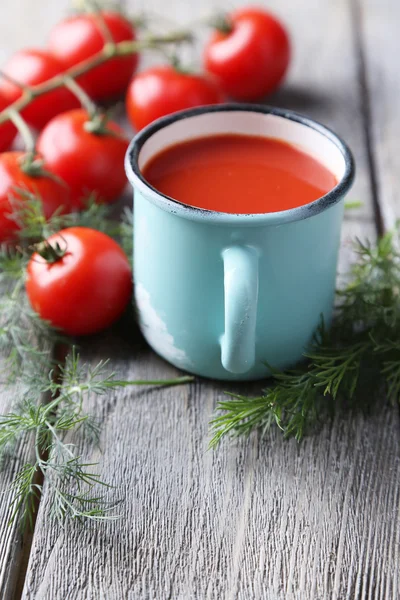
(253, 520)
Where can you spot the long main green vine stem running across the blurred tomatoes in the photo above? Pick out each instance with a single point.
(108, 51)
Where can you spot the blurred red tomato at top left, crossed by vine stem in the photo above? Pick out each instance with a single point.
(80, 37)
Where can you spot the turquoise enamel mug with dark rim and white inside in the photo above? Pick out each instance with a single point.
(220, 294)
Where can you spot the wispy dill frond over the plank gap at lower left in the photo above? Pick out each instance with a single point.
(56, 459)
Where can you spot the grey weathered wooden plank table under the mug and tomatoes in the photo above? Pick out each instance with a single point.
(259, 518)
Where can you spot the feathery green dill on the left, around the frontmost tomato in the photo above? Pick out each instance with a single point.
(50, 395)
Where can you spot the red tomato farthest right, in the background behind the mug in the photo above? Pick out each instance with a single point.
(251, 60)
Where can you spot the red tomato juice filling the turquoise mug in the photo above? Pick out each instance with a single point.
(238, 174)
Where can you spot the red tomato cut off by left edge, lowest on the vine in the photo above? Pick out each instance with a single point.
(53, 194)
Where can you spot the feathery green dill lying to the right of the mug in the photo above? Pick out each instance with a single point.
(352, 364)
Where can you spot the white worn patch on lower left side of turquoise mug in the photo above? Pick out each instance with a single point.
(155, 330)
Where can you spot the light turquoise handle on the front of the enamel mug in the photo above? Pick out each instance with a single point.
(241, 296)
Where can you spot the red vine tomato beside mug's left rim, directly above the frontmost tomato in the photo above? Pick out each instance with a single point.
(87, 162)
